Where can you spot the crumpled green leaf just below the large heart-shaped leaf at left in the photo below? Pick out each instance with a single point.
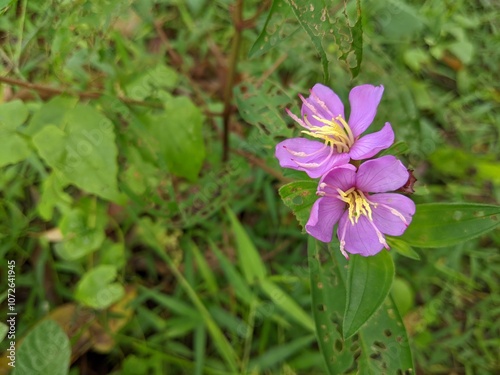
(83, 230)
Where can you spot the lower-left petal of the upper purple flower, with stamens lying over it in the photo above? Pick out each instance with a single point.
(312, 157)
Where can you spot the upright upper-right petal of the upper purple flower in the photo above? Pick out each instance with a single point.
(364, 101)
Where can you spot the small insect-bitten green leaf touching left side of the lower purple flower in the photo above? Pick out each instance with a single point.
(299, 196)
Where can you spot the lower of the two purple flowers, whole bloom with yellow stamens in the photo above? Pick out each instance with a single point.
(363, 218)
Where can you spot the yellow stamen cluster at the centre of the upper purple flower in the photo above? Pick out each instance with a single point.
(336, 132)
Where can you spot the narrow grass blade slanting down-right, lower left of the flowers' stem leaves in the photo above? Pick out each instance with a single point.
(287, 304)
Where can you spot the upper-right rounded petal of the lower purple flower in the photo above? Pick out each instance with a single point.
(380, 175)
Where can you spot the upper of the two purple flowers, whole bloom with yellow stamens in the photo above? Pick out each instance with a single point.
(339, 141)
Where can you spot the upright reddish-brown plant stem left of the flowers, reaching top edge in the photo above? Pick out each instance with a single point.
(231, 74)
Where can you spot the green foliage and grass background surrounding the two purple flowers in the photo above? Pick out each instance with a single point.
(155, 256)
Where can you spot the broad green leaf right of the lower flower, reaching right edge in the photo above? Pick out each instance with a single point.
(446, 224)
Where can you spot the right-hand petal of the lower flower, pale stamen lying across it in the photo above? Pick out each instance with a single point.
(393, 213)
